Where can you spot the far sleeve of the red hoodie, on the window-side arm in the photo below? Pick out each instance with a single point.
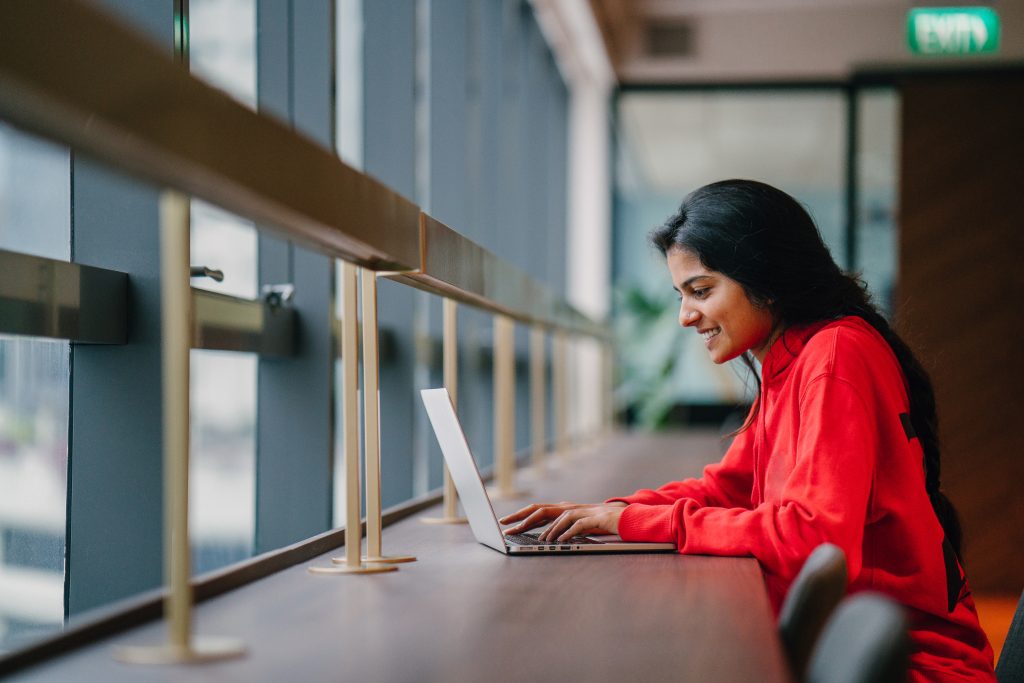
(727, 484)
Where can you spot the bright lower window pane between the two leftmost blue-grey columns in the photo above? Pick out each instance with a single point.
(223, 469)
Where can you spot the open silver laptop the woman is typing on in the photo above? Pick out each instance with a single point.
(478, 505)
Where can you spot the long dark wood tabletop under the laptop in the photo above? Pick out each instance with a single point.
(465, 613)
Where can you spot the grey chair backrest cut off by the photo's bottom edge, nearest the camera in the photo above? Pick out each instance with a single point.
(866, 642)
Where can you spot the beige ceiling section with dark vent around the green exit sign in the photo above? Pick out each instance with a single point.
(697, 41)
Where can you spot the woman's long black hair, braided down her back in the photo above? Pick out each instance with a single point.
(765, 241)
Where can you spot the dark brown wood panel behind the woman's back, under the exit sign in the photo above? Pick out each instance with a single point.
(960, 303)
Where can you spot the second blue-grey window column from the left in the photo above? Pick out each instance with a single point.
(294, 426)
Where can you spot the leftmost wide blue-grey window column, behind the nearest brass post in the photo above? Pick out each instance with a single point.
(115, 481)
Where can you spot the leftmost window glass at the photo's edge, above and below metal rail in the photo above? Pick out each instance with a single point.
(35, 219)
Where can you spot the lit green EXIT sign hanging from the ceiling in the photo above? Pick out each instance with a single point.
(953, 30)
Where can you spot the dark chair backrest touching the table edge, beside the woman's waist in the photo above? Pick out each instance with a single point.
(815, 594)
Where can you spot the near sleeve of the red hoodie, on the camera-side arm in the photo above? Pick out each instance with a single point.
(825, 498)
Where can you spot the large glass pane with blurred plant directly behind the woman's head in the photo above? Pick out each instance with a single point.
(671, 144)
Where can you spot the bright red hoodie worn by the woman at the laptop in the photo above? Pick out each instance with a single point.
(829, 459)
